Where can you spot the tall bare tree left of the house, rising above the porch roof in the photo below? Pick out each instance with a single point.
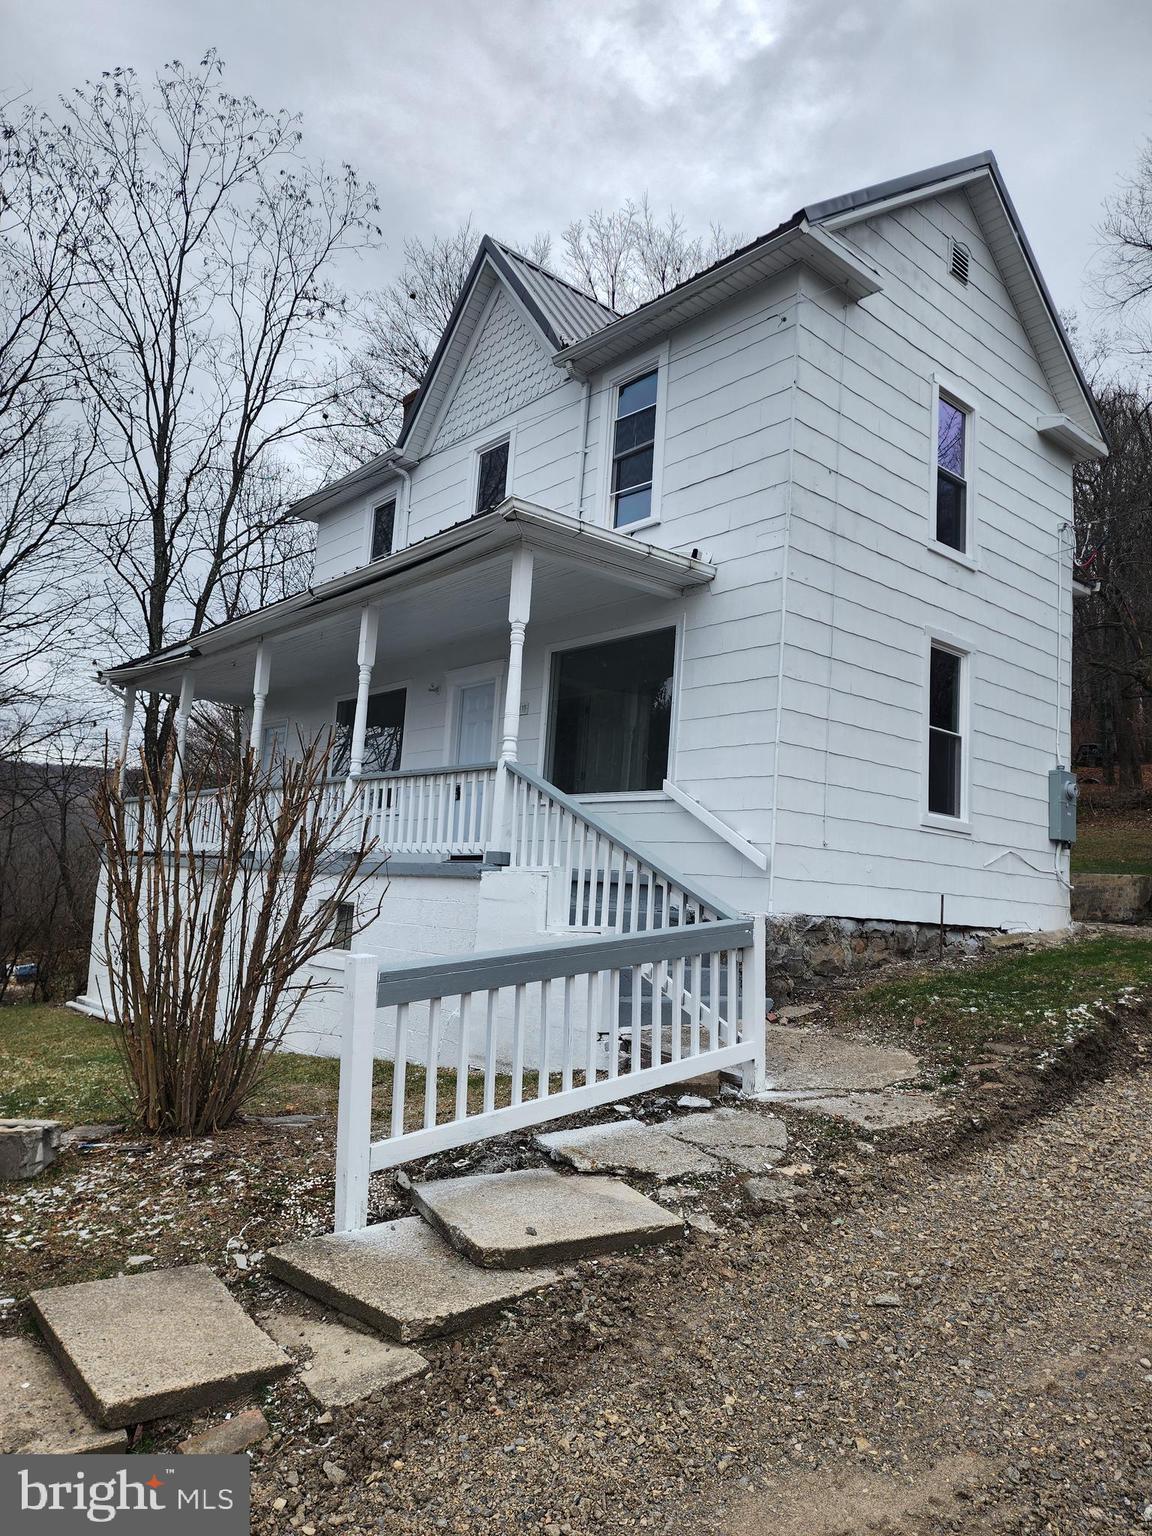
(200, 322)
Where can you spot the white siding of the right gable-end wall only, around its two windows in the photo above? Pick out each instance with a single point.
(866, 589)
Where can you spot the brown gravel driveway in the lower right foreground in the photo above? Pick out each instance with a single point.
(970, 1356)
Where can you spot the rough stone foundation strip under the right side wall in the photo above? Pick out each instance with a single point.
(815, 948)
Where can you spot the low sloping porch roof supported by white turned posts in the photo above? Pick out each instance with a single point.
(451, 588)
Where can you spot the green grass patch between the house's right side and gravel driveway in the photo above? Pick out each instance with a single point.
(1034, 998)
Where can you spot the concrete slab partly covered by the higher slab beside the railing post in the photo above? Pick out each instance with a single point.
(399, 1277)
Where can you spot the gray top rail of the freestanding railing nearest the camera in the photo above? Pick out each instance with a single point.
(498, 968)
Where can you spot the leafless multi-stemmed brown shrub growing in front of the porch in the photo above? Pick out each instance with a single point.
(207, 952)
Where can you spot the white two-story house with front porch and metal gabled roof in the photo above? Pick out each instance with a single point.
(760, 597)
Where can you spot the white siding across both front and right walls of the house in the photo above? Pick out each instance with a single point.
(798, 457)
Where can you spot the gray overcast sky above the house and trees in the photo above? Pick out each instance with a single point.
(529, 113)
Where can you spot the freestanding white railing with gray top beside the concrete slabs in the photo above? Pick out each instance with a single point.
(495, 1042)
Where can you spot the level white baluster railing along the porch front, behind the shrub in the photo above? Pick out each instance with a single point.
(445, 812)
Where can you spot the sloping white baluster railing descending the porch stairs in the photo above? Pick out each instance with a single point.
(612, 886)
